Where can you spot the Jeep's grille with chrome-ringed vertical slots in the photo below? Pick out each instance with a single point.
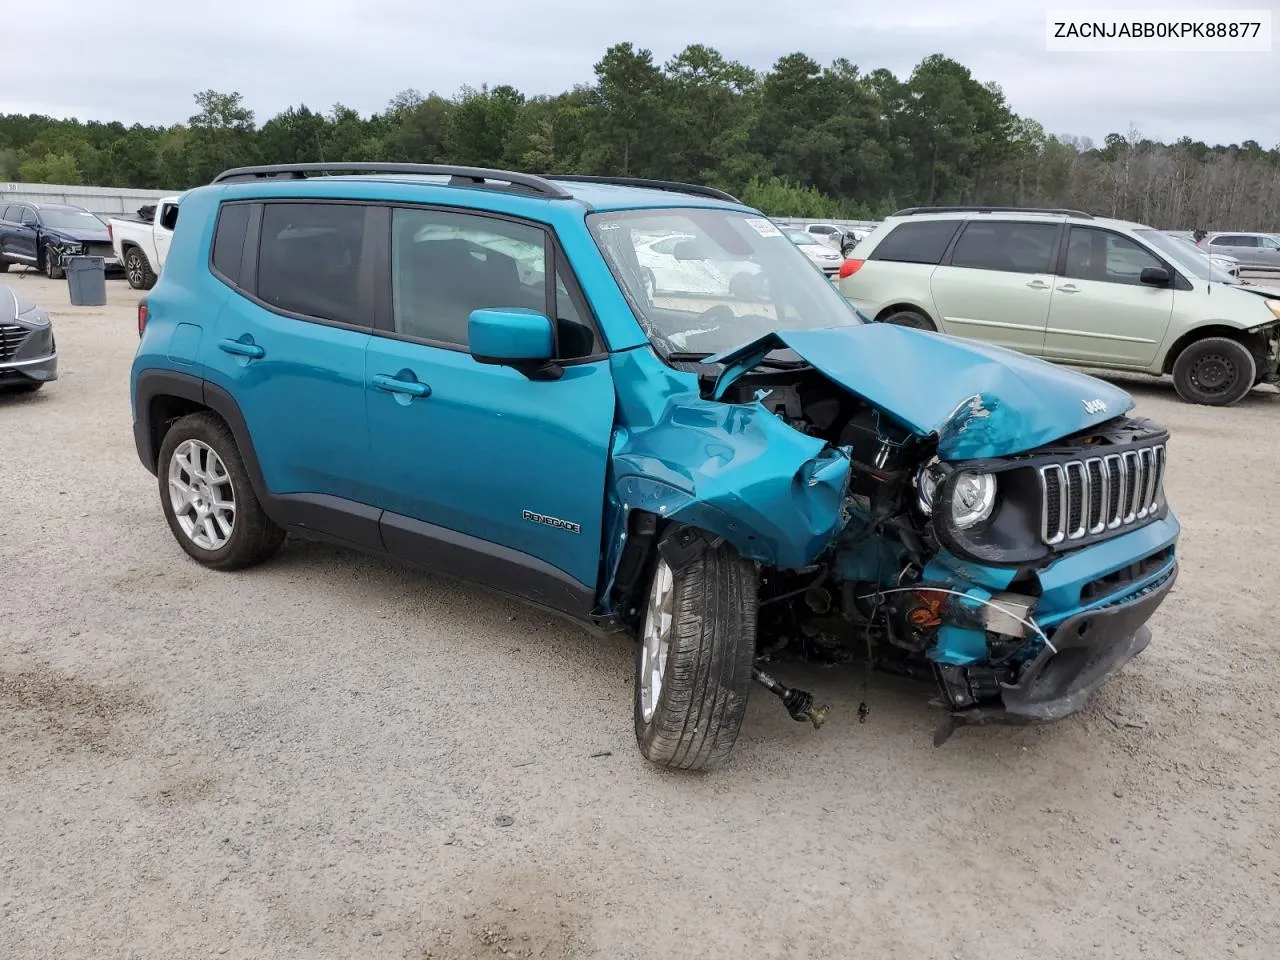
(1092, 496)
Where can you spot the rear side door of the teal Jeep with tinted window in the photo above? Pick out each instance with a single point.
(290, 348)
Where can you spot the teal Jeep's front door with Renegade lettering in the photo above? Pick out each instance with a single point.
(483, 472)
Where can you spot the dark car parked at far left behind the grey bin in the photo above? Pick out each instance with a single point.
(47, 235)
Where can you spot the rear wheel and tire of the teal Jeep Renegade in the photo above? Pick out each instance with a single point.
(253, 537)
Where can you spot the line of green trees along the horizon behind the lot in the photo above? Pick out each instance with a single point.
(799, 140)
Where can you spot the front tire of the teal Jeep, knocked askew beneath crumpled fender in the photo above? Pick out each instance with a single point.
(689, 703)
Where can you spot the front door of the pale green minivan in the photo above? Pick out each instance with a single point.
(1101, 312)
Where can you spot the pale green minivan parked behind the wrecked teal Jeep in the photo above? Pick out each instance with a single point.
(1071, 289)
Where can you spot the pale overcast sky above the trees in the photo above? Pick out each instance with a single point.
(143, 61)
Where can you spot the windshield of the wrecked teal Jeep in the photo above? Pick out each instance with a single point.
(707, 281)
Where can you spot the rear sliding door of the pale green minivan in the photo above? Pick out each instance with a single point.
(996, 284)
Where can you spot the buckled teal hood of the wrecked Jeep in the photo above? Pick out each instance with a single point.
(979, 400)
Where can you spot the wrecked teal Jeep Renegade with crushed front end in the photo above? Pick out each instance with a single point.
(726, 474)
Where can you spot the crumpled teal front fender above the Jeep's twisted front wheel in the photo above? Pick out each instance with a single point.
(738, 472)
